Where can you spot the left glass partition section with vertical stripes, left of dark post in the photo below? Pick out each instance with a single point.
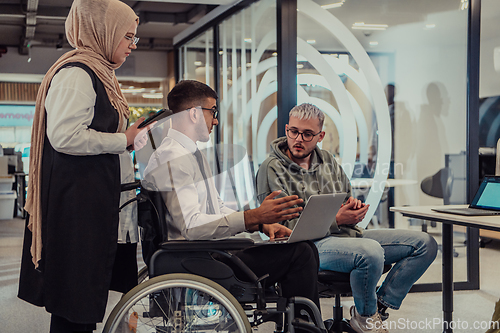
(247, 88)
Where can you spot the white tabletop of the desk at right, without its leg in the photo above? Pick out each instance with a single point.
(423, 212)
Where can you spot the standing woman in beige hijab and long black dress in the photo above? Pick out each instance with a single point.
(70, 244)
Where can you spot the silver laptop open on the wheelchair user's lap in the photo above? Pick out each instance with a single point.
(315, 220)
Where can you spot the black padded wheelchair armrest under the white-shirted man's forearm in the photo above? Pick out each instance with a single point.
(223, 244)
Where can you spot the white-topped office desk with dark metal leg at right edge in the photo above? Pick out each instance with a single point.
(448, 220)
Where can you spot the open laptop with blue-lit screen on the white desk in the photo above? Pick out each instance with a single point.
(486, 202)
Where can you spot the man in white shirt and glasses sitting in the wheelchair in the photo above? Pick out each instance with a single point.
(196, 212)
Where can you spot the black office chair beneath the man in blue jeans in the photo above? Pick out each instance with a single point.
(337, 284)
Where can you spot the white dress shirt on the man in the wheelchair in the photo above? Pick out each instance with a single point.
(173, 169)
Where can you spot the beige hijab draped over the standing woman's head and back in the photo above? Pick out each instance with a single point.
(94, 28)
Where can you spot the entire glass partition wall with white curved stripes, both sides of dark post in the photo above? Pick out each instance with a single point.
(393, 78)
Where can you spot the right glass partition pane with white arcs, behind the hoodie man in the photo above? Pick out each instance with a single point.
(392, 79)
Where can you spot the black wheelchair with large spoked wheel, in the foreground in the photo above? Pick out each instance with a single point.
(193, 287)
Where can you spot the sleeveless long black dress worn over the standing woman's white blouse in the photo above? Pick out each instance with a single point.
(80, 199)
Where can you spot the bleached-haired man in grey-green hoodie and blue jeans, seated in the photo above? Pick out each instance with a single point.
(298, 166)
